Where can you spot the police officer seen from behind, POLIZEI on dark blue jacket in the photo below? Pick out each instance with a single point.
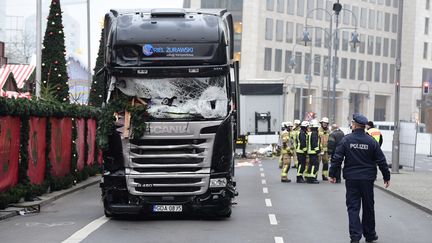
(362, 155)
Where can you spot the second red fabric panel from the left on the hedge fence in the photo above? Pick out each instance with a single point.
(36, 150)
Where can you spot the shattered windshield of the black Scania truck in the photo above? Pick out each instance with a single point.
(189, 97)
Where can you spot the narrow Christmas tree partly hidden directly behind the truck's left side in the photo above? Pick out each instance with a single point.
(97, 88)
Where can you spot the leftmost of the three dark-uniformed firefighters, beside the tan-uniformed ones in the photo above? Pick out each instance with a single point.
(301, 150)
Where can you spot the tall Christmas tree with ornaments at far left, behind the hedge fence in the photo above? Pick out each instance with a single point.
(54, 75)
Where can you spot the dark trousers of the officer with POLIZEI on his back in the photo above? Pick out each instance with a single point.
(360, 193)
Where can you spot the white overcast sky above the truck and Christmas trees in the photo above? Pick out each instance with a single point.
(77, 10)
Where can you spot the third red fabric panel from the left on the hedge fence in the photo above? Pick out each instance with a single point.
(61, 139)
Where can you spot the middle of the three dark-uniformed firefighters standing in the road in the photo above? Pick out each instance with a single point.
(314, 149)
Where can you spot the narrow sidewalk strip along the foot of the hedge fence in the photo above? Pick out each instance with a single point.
(32, 207)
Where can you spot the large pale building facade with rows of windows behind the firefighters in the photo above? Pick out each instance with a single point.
(272, 48)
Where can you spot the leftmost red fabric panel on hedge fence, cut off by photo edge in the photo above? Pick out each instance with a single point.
(9, 151)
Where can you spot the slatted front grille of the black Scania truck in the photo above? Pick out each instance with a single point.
(169, 166)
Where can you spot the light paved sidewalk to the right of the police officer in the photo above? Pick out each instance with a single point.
(414, 188)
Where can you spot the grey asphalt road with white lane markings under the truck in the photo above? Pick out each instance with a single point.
(266, 211)
